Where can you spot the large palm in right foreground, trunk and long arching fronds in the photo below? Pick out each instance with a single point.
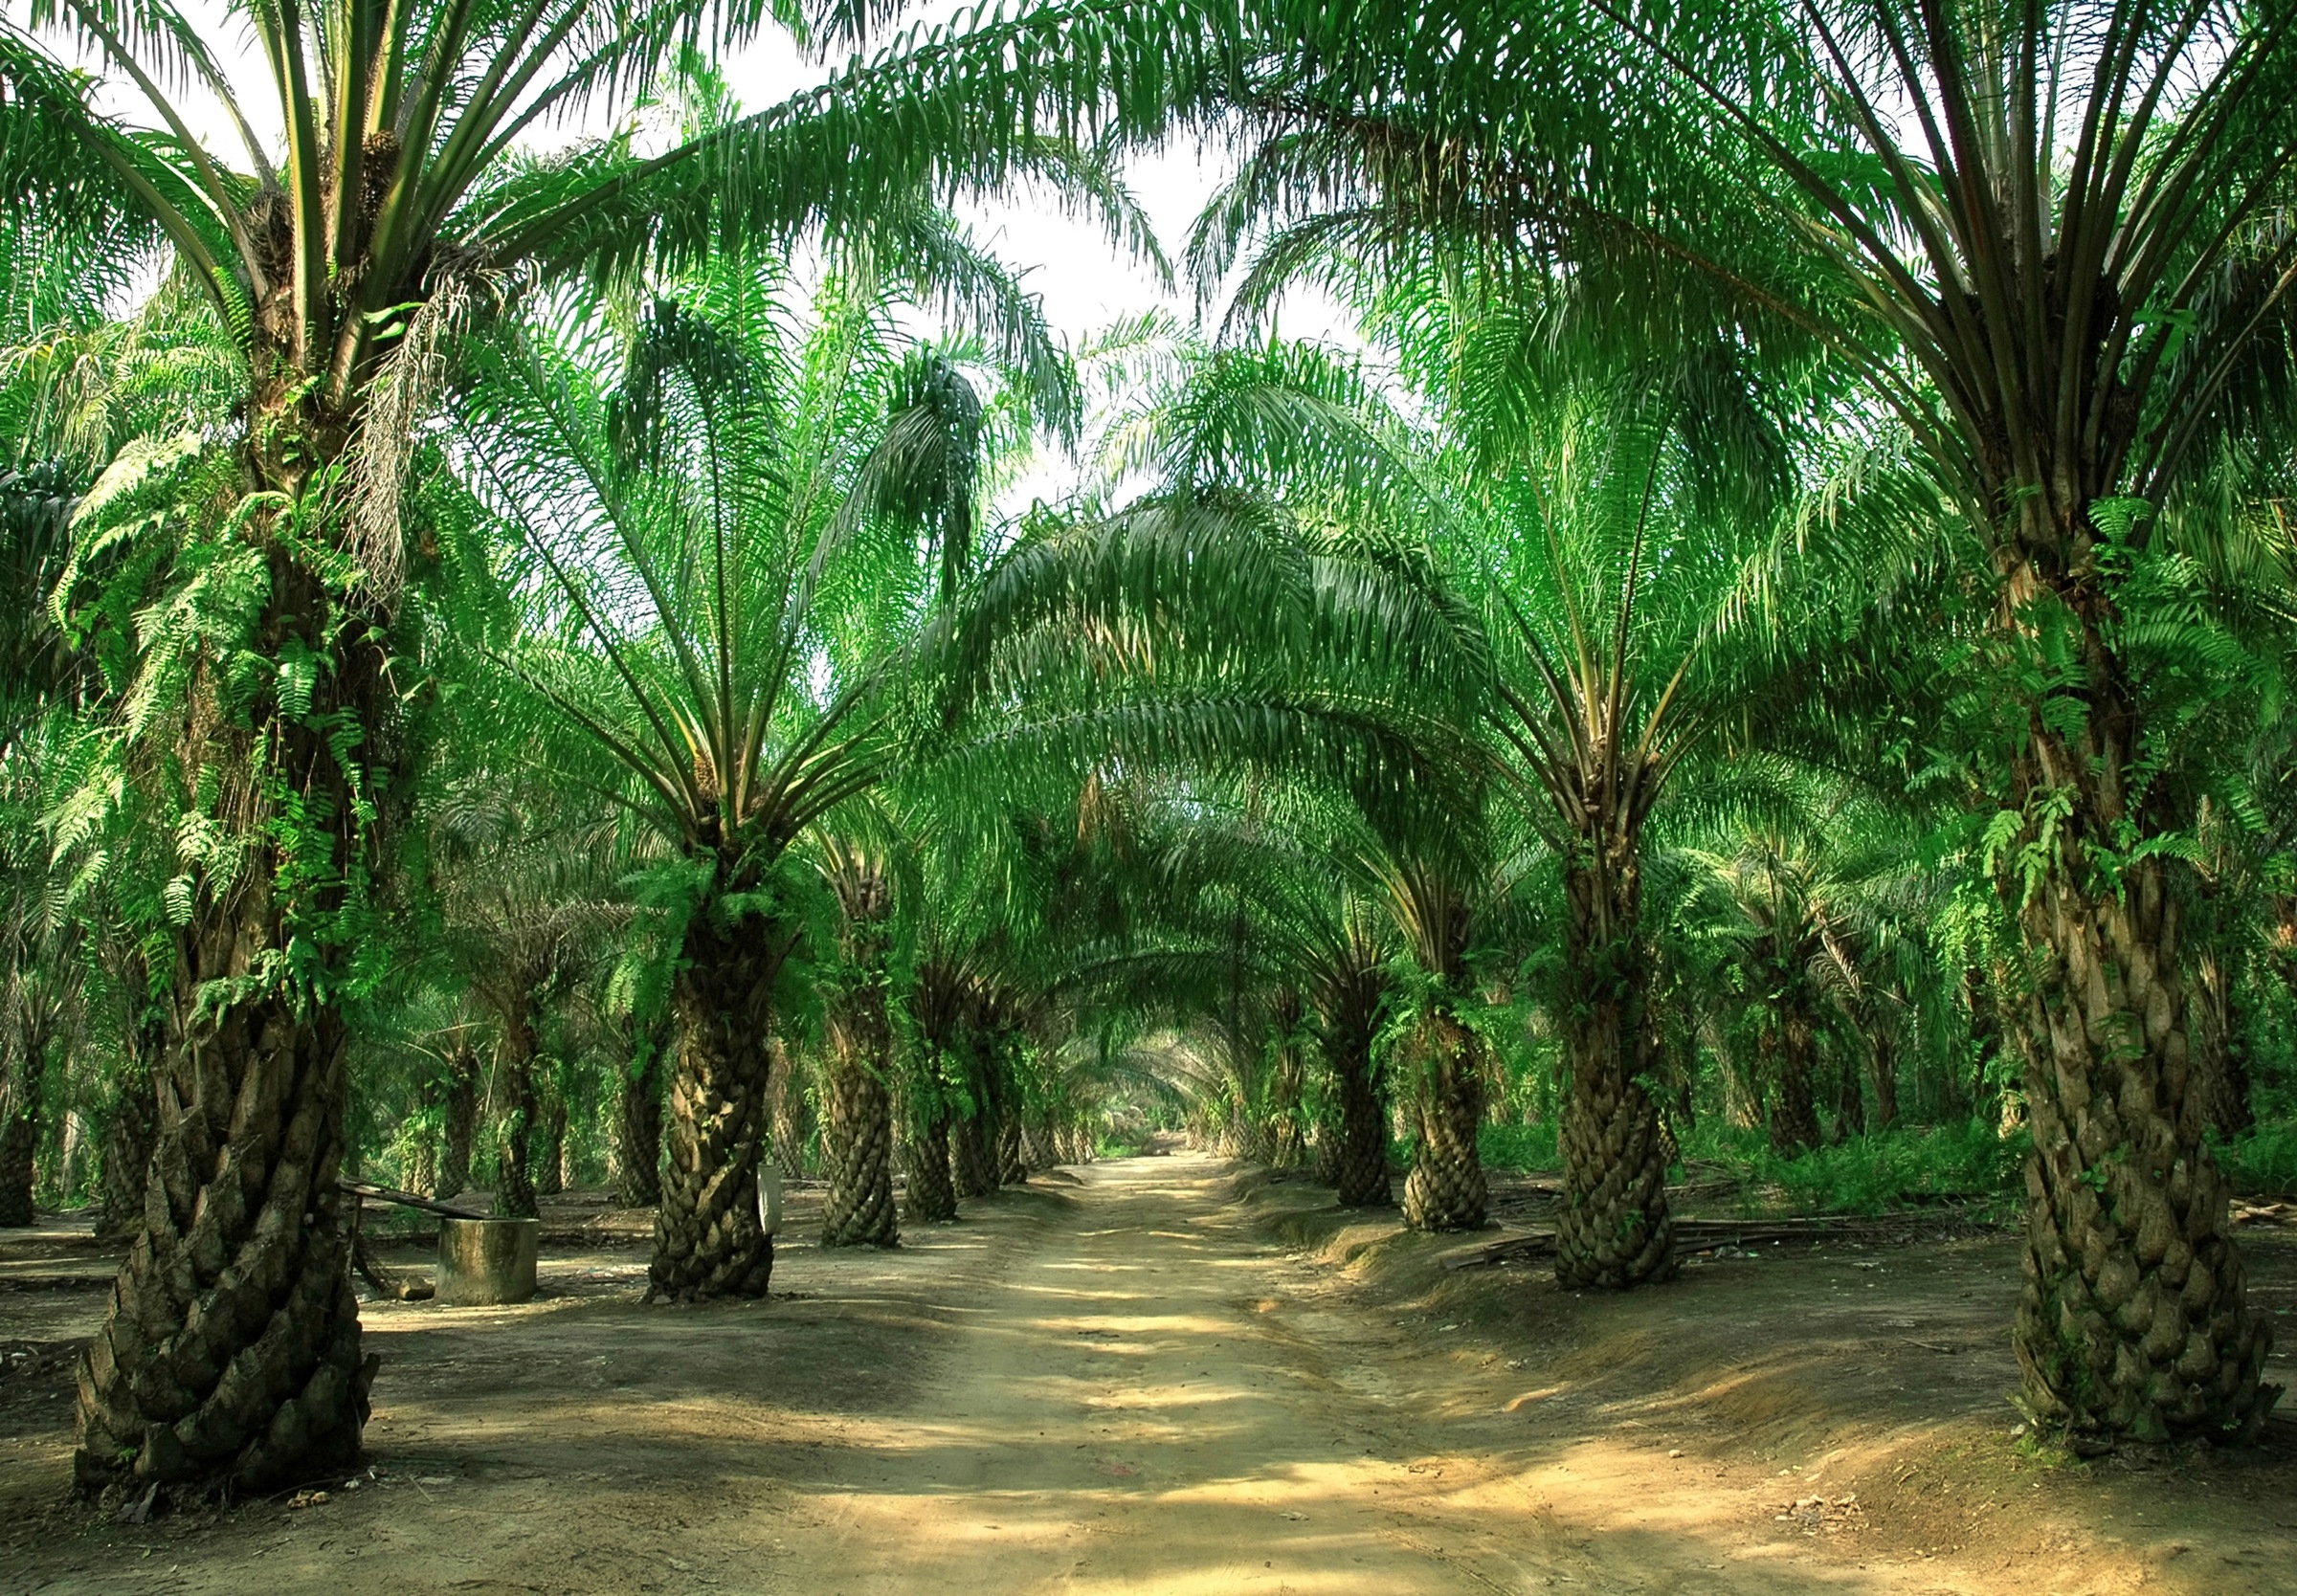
(2043, 240)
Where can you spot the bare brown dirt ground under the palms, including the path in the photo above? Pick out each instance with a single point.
(1168, 1374)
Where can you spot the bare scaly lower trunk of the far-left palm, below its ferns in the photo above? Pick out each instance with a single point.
(231, 1345)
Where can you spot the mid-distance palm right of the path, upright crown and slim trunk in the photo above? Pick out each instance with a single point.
(1611, 582)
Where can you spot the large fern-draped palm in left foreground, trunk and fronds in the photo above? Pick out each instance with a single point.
(403, 199)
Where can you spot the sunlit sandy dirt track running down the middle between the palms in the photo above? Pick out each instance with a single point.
(1157, 1400)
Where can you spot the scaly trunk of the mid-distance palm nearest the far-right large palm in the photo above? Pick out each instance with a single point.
(1614, 1227)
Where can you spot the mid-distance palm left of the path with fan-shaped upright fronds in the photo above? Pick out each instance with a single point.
(718, 525)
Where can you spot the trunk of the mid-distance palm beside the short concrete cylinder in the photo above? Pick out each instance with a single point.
(709, 1241)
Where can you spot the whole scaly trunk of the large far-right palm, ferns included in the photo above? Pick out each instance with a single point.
(2135, 1319)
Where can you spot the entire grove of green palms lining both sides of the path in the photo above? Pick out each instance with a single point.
(1786, 621)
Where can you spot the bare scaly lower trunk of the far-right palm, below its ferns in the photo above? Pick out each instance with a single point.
(2135, 1317)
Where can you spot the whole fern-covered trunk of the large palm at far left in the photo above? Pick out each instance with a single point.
(231, 1354)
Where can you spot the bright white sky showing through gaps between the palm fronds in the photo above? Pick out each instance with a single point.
(1067, 263)
